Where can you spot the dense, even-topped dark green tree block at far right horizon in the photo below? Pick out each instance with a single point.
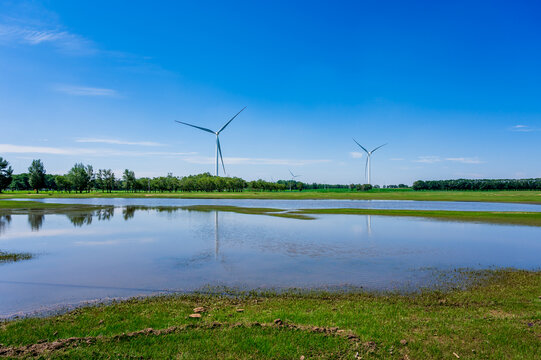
(478, 184)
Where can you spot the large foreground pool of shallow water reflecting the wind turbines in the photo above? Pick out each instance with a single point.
(123, 251)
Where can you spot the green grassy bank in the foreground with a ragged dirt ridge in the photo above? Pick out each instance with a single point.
(497, 318)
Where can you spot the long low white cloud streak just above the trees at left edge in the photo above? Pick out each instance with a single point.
(23, 149)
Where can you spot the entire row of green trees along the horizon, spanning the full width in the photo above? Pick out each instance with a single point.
(83, 178)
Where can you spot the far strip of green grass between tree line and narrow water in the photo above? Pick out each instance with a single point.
(528, 197)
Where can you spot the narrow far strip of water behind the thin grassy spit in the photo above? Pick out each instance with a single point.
(305, 204)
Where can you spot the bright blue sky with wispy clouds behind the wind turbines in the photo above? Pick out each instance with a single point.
(453, 87)
